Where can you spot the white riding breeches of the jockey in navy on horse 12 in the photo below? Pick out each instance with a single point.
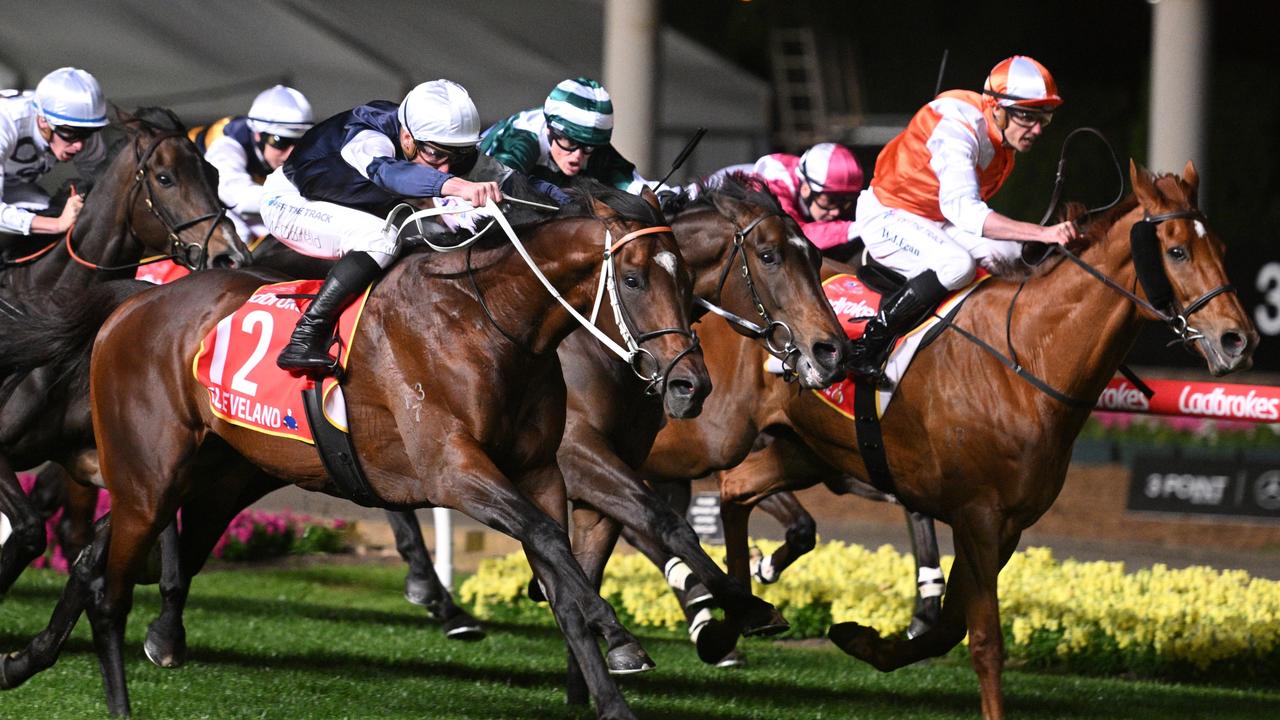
(319, 229)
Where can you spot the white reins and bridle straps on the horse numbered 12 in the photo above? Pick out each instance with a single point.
(633, 354)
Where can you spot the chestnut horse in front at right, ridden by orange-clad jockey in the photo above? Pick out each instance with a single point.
(970, 443)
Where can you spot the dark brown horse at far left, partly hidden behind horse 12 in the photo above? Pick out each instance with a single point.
(157, 195)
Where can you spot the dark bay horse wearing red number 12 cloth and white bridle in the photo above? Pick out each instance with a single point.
(478, 343)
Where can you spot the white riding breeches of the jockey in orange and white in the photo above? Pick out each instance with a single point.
(912, 245)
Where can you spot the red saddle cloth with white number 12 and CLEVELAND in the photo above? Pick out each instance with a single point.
(236, 363)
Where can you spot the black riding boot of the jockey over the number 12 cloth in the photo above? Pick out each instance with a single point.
(308, 353)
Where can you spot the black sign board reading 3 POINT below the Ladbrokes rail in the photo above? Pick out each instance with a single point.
(1165, 484)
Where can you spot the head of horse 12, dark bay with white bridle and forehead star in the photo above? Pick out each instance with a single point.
(652, 291)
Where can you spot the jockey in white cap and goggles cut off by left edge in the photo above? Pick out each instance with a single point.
(57, 124)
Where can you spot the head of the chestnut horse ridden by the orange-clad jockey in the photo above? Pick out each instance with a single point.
(1180, 265)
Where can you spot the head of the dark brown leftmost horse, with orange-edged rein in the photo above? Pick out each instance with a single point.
(173, 206)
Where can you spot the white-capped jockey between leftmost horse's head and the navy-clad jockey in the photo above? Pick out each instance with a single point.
(246, 149)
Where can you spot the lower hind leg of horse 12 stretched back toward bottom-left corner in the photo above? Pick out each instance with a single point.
(43, 651)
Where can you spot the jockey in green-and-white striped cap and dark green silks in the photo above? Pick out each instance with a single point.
(568, 136)
